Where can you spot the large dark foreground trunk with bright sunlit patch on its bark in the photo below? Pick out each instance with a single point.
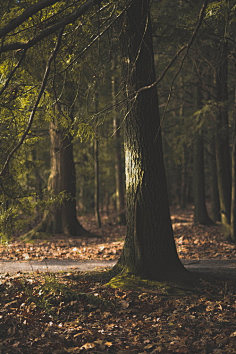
(149, 249)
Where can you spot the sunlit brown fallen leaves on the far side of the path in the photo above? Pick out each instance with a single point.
(192, 241)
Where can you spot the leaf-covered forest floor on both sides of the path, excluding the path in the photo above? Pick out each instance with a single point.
(77, 312)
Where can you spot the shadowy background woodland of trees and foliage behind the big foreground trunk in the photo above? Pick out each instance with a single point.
(84, 104)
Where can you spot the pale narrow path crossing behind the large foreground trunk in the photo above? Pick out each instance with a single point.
(220, 267)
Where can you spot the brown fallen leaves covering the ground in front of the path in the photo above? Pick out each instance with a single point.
(77, 314)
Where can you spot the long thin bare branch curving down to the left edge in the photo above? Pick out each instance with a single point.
(32, 114)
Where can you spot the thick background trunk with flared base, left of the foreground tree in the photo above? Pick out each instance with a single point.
(61, 218)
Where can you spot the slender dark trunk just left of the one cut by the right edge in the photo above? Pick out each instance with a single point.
(222, 141)
